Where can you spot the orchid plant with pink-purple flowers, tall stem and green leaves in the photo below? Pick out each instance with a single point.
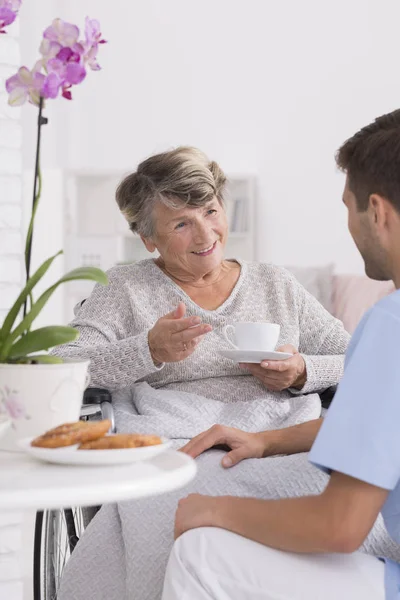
(64, 62)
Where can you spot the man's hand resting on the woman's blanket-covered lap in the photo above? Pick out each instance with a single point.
(243, 445)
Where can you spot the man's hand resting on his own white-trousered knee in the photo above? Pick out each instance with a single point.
(195, 511)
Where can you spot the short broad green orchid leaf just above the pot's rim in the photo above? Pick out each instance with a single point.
(42, 339)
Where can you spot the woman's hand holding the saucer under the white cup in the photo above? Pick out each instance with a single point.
(278, 375)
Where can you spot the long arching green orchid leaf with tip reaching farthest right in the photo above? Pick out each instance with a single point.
(91, 273)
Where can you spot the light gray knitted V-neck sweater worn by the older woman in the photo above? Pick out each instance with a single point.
(115, 320)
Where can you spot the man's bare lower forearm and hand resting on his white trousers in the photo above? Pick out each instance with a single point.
(338, 520)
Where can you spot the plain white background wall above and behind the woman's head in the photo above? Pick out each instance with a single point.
(262, 86)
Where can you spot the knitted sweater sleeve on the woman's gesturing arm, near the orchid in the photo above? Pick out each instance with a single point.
(117, 359)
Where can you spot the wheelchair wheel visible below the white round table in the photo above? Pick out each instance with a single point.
(56, 534)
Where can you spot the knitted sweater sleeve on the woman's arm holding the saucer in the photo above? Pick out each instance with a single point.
(323, 342)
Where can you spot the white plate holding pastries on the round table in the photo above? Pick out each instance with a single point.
(70, 455)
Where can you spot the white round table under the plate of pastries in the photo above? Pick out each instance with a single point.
(28, 483)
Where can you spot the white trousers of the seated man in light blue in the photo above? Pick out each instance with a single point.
(211, 563)
